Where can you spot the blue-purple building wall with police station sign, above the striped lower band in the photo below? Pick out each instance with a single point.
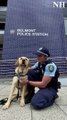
(20, 19)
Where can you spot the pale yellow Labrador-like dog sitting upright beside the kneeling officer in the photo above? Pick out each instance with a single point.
(22, 65)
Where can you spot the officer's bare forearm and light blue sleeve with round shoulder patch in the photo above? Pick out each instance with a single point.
(48, 74)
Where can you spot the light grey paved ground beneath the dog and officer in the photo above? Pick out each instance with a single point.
(56, 112)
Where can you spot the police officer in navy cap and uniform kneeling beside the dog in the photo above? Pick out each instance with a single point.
(44, 75)
